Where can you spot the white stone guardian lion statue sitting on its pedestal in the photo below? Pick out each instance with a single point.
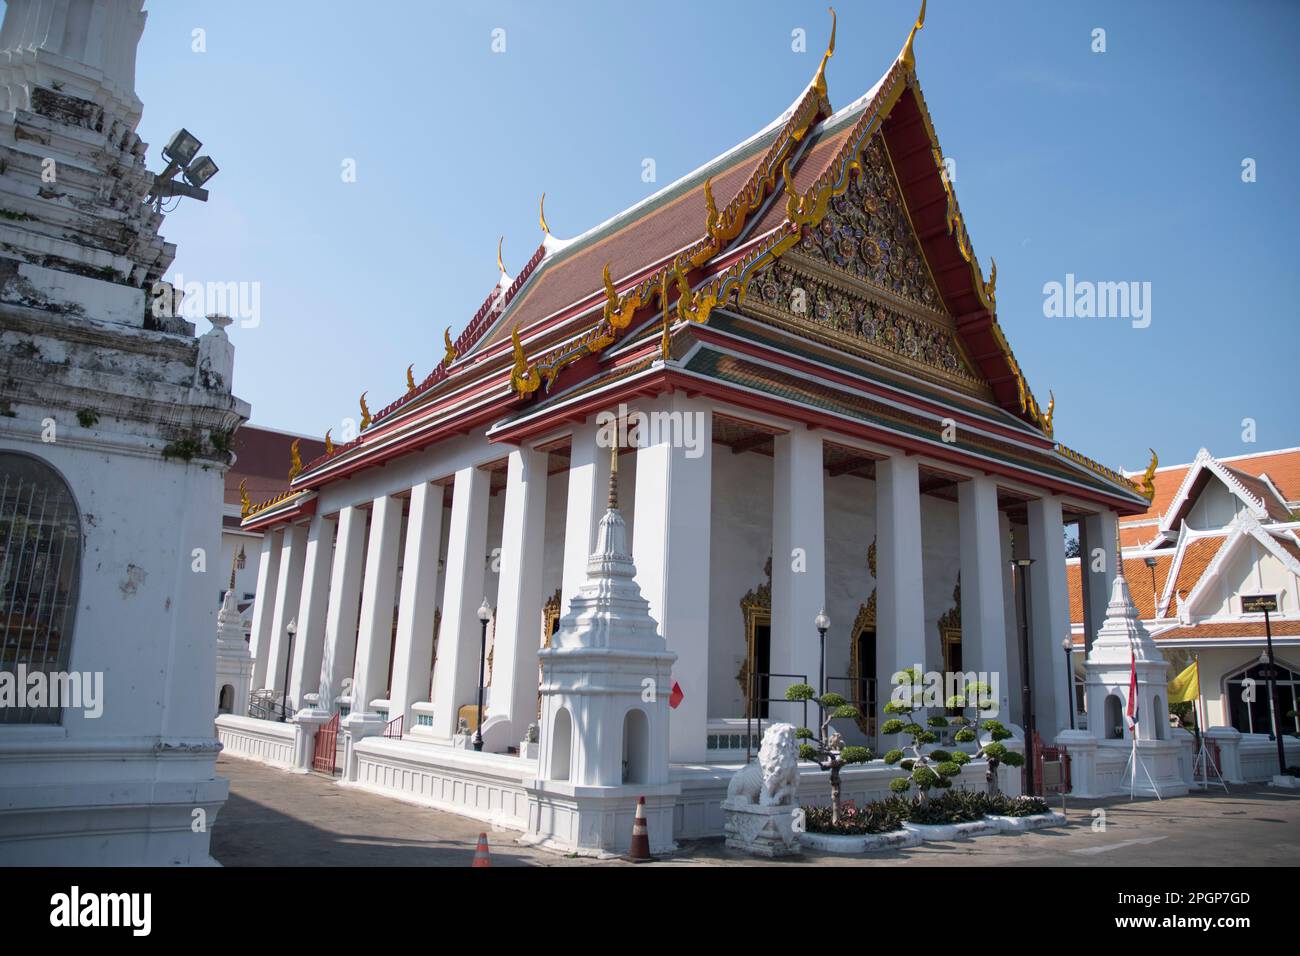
(762, 799)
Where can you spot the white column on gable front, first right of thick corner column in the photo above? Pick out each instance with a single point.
(799, 564)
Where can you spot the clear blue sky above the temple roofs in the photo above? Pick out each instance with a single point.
(1124, 166)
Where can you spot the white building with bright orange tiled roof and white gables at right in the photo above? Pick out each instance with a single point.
(1217, 531)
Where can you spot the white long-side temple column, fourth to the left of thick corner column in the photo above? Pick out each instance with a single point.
(419, 602)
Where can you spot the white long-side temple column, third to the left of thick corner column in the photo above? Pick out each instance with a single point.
(456, 680)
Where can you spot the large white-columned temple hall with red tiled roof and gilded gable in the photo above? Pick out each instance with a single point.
(799, 354)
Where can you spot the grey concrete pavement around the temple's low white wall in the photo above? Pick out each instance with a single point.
(275, 819)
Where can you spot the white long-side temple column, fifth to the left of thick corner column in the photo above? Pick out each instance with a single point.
(379, 596)
